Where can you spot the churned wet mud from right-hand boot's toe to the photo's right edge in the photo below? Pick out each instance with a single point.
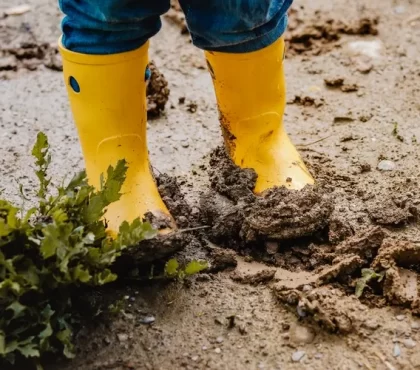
(333, 237)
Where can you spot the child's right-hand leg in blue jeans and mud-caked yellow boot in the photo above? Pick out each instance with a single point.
(245, 50)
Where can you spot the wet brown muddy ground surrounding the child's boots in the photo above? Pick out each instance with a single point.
(353, 73)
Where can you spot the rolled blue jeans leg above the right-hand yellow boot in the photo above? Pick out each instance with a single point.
(235, 26)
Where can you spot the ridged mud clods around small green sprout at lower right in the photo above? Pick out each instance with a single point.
(328, 296)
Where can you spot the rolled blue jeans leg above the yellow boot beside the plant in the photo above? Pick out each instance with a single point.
(110, 26)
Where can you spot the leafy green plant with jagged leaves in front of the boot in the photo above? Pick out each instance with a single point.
(53, 251)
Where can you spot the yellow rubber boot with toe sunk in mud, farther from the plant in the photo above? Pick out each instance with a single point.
(251, 95)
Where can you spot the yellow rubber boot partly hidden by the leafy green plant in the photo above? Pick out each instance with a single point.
(108, 100)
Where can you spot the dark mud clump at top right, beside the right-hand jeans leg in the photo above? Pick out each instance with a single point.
(319, 34)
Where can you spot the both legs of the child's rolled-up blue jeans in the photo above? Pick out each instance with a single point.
(115, 26)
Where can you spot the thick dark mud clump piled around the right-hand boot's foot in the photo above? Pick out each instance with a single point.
(236, 214)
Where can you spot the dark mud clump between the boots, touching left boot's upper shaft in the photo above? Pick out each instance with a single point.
(157, 92)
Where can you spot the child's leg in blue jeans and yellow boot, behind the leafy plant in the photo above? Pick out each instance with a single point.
(105, 55)
